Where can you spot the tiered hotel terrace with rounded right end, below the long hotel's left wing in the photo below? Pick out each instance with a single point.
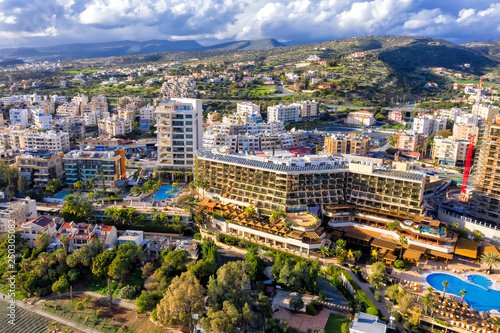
(300, 231)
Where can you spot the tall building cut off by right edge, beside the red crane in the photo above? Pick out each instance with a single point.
(485, 200)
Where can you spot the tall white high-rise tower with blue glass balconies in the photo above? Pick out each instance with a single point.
(179, 132)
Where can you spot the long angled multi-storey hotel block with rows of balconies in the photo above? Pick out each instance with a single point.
(294, 184)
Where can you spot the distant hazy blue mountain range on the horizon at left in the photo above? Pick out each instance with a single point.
(127, 47)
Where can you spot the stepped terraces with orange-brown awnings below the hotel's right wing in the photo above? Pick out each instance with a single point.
(426, 237)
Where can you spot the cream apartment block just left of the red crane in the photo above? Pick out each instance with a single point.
(450, 151)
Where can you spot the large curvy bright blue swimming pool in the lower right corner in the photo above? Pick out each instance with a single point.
(478, 296)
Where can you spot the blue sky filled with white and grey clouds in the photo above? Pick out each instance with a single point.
(25, 23)
